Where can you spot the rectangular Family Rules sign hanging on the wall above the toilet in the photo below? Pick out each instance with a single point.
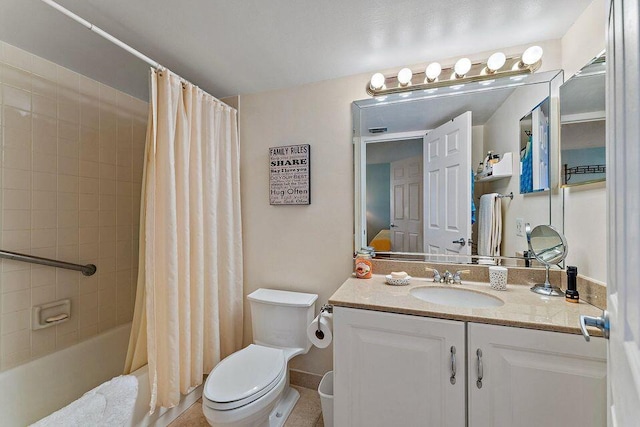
(290, 175)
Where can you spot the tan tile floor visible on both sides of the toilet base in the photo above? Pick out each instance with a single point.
(306, 413)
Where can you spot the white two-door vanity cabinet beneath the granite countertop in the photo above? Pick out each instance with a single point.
(394, 370)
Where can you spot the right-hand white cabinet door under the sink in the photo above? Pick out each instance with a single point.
(535, 378)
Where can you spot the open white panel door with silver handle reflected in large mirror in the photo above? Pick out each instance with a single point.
(447, 177)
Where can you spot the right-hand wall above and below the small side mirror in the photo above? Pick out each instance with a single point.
(585, 207)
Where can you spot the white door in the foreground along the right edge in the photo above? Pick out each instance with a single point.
(623, 205)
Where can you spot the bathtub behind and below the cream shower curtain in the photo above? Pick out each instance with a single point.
(36, 389)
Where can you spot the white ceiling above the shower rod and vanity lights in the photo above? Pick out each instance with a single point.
(246, 46)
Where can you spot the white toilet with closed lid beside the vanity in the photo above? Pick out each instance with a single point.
(251, 386)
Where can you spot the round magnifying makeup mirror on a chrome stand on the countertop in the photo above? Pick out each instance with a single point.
(548, 246)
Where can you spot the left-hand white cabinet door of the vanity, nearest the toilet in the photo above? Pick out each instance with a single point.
(394, 370)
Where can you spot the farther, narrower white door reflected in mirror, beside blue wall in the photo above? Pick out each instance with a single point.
(406, 205)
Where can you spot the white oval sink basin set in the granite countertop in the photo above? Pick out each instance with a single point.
(455, 297)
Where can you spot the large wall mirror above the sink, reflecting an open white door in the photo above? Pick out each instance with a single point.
(415, 159)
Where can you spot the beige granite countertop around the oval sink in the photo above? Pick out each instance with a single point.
(522, 308)
